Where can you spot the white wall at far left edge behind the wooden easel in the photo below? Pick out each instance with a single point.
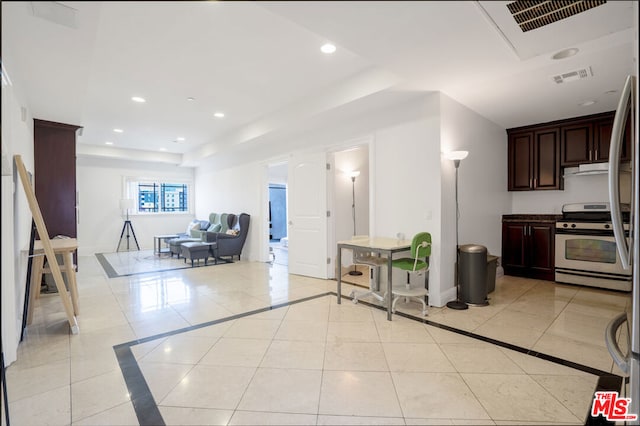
(17, 139)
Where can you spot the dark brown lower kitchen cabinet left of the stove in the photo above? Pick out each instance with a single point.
(528, 248)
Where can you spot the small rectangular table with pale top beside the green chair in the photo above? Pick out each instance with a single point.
(380, 245)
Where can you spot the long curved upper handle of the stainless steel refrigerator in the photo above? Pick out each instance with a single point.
(619, 122)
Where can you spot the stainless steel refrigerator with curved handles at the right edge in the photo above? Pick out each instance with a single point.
(624, 345)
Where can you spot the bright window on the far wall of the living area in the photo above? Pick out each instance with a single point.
(159, 197)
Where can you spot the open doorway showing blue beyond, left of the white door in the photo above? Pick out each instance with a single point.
(278, 241)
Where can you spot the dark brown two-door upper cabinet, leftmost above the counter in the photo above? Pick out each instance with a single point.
(534, 160)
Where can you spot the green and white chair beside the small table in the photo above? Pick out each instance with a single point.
(418, 263)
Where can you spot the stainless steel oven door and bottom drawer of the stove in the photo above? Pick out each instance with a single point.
(591, 260)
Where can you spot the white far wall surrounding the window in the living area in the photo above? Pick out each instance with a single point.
(100, 184)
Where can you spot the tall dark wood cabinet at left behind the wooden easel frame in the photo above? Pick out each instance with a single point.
(55, 175)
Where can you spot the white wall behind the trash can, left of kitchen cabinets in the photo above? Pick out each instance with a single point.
(482, 184)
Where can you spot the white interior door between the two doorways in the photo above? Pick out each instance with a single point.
(308, 215)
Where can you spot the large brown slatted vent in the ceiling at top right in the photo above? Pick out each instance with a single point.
(532, 14)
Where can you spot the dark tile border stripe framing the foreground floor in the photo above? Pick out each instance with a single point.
(148, 413)
